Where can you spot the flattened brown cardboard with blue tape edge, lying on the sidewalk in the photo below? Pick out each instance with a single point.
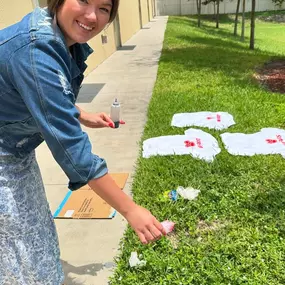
(86, 204)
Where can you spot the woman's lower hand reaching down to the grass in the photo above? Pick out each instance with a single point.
(146, 226)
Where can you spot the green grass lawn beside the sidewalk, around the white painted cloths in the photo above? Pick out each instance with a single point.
(234, 233)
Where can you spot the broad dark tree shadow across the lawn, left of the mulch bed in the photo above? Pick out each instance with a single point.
(225, 56)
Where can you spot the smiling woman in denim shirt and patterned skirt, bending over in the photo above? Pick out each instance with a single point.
(42, 60)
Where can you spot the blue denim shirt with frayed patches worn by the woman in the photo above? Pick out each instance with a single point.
(39, 84)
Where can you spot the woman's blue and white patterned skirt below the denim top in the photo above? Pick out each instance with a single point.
(29, 251)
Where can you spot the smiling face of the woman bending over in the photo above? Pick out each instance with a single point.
(81, 20)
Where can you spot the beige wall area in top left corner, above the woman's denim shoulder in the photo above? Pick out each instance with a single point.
(12, 11)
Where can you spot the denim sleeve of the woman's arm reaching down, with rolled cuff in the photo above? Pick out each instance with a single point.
(40, 72)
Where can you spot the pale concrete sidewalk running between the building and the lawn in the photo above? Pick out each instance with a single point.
(89, 246)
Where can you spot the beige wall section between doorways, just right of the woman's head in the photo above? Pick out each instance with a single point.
(129, 18)
